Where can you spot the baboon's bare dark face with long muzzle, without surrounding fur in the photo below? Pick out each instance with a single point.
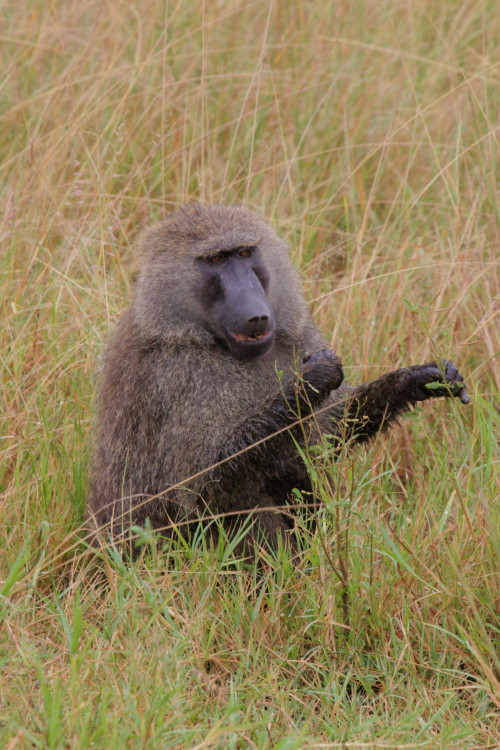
(233, 286)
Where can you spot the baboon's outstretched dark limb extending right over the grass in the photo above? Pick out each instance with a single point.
(372, 407)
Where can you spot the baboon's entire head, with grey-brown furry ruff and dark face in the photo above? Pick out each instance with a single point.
(218, 274)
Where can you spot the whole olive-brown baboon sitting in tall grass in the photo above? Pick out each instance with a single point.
(216, 353)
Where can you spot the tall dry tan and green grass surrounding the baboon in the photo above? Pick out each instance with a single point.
(368, 133)
